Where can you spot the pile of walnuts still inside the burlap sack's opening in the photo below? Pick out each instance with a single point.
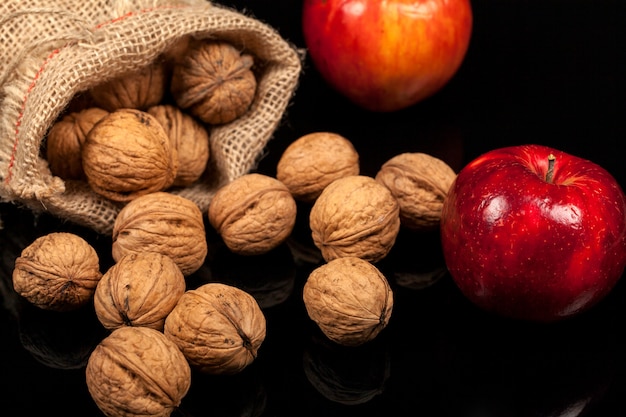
(149, 130)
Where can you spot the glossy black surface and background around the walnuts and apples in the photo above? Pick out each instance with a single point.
(549, 72)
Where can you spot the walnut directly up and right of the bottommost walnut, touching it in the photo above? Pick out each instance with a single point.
(218, 327)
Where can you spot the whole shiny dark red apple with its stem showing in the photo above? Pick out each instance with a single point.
(534, 233)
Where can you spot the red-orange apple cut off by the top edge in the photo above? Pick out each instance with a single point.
(387, 55)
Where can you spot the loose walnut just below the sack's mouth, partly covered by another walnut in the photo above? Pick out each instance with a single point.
(164, 223)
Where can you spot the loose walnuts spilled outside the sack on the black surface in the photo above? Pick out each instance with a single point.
(159, 329)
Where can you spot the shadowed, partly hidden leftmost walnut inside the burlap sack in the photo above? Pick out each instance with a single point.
(65, 142)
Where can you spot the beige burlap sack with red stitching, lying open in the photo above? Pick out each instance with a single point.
(52, 50)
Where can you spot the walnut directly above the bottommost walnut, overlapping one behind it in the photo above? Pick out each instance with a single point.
(141, 289)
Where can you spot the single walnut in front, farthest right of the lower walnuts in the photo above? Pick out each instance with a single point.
(349, 299)
